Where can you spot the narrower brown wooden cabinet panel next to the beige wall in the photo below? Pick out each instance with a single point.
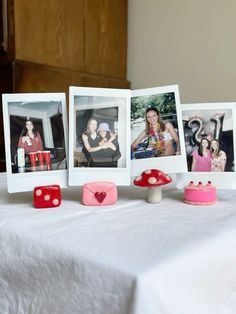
(106, 37)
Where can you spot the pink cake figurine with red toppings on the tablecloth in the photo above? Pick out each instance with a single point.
(200, 194)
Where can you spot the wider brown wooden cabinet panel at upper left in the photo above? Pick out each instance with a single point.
(50, 32)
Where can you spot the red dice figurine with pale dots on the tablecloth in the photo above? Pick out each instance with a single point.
(47, 196)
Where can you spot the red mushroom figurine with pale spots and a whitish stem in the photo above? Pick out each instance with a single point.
(153, 179)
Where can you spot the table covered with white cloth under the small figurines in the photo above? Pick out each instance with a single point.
(128, 258)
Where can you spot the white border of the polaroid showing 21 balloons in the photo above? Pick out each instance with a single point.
(222, 180)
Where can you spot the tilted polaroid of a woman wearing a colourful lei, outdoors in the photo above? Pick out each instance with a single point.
(157, 139)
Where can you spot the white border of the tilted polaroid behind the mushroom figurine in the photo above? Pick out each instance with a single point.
(168, 164)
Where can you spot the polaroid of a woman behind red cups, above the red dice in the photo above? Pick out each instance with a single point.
(35, 132)
